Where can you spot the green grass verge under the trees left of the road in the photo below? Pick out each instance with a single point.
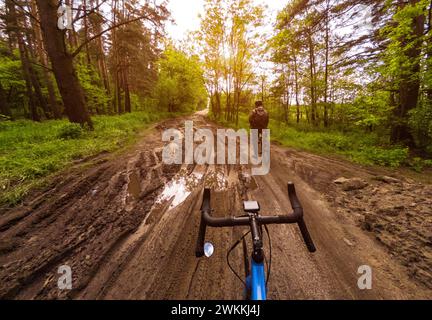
(30, 151)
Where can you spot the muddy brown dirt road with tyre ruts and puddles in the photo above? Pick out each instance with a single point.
(127, 227)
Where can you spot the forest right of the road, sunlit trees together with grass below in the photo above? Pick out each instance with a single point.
(344, 74)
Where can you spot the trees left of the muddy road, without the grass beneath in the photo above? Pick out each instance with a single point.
(109, 65)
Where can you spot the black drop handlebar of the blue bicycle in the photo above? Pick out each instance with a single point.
(295, 217)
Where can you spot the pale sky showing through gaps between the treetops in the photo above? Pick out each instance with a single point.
(185, 13)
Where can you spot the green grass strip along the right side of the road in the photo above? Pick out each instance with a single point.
(356, 146)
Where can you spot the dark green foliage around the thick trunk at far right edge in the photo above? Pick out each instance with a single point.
(406, 61)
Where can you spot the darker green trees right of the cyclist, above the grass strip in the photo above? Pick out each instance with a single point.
(369, 81)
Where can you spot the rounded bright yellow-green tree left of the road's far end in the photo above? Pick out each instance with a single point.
(180, 87)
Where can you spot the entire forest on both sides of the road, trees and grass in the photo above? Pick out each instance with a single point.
(350, 78)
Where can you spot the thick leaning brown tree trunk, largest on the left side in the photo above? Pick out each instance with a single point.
(62, 64)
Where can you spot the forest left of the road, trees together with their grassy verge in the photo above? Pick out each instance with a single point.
(78, 78)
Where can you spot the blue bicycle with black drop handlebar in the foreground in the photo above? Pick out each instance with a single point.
(255, 281)
